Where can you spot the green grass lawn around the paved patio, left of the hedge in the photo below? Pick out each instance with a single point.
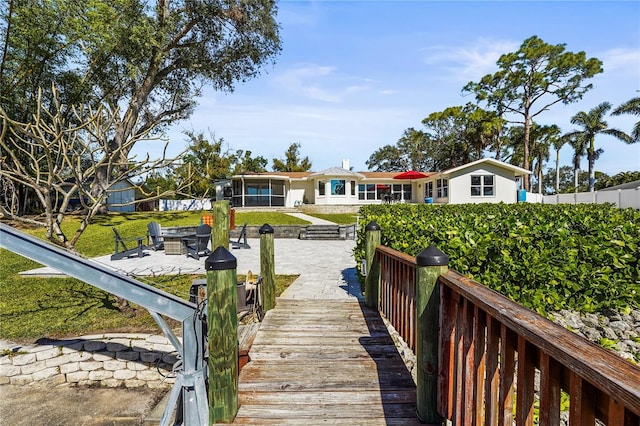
(65, 307)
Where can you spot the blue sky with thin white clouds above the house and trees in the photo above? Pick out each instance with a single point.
(353, 75)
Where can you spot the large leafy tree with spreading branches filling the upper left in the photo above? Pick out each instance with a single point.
(142, 63)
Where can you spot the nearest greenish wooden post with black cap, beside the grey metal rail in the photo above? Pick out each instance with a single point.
(223, 335)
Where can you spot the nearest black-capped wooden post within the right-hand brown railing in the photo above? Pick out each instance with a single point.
(431, 263)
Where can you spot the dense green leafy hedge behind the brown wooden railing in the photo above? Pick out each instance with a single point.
(547, 257)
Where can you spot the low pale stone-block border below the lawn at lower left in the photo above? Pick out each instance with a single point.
(109, 360)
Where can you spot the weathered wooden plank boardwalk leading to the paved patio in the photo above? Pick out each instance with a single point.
(325, 362)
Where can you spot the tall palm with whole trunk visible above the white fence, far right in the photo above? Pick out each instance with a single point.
(592, 124)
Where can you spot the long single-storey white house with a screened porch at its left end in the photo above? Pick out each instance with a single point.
(482, 181)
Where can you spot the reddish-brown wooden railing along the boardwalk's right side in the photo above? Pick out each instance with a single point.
(497, 362)
